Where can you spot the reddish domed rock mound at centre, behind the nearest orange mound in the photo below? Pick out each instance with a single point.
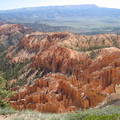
(59, 59)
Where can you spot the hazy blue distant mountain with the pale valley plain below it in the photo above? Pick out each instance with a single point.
(87, 19)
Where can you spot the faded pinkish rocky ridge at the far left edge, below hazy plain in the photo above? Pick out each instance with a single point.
(11, 34)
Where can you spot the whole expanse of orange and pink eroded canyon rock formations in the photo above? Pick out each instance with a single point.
(71, 79)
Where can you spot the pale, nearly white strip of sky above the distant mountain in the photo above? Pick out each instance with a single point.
(12, 4)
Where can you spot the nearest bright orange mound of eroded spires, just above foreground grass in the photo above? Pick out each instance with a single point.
(55, 93)
